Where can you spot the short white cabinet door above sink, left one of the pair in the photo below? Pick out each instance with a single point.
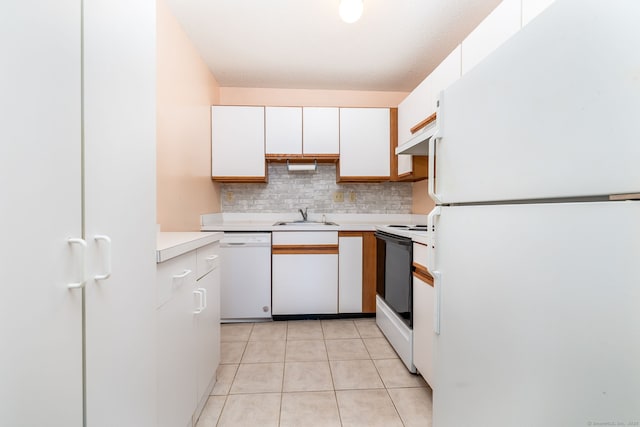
(283, 130)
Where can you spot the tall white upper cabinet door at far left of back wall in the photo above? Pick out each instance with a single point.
(237, 143)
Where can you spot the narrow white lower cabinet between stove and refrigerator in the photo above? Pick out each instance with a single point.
(423, 312)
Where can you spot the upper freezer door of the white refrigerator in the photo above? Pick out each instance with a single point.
(556, 106)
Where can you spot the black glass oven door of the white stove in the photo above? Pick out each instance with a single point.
(395, 255)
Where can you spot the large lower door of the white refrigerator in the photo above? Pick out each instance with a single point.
(539, 315)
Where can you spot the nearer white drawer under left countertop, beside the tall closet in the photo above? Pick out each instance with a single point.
(174, 274)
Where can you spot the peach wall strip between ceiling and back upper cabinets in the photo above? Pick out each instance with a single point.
(309, 97)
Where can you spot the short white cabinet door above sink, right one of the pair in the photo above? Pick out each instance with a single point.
(321, 132)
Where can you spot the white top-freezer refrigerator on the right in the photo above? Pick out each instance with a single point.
(535, 239)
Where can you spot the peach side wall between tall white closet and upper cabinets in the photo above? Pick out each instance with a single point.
(185, 91)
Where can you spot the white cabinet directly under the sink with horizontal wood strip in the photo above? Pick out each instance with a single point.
(305, 273)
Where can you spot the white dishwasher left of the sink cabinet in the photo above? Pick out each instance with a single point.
(245, 288)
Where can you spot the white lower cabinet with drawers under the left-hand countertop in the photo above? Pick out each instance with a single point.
(188, 325)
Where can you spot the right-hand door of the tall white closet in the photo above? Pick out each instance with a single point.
(120, 203)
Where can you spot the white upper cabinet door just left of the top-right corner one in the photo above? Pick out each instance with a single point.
(496, 28)
